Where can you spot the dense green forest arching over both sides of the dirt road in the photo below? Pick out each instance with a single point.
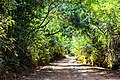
(37, 32)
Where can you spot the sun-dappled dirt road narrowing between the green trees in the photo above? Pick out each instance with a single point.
(69, 69)
